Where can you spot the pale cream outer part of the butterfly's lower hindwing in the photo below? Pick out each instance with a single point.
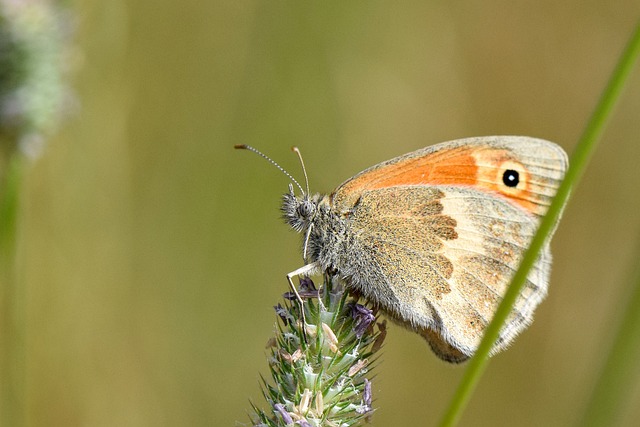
(493, 235)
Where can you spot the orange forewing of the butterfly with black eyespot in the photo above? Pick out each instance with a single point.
(478, 162)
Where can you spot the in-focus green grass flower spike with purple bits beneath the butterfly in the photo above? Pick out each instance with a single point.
(321, 369)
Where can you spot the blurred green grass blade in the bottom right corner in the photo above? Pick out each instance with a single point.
(614, 384)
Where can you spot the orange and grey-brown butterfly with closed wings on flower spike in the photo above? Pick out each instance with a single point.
(433, 237)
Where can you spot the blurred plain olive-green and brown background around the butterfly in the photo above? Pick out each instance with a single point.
(151, 252)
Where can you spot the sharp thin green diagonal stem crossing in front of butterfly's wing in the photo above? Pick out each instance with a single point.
(579, 161)
